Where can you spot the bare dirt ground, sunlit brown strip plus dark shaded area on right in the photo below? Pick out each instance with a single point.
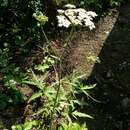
(104, 55)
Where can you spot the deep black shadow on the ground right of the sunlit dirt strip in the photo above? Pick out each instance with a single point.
(112, 77)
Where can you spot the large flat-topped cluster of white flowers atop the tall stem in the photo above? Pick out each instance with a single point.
(75, 16)
